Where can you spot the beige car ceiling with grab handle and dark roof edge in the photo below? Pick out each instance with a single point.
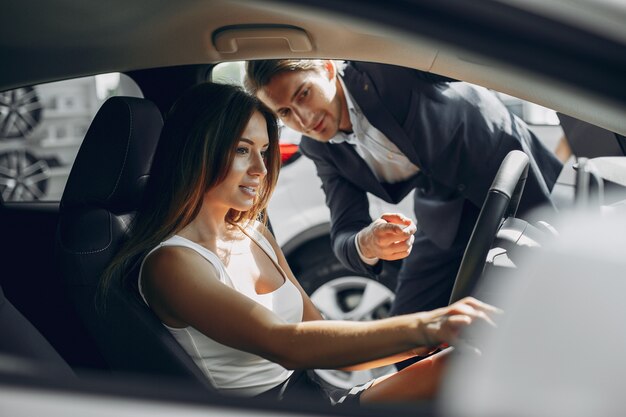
(57, 39)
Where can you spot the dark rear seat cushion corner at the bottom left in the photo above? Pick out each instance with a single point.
(29, 351)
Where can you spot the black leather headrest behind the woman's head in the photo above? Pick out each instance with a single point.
(114, 160)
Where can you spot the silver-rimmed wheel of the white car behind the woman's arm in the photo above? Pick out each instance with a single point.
(340, 294)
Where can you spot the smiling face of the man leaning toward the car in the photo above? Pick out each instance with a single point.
(310, 102)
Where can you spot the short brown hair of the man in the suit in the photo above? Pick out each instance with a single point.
(260, 73)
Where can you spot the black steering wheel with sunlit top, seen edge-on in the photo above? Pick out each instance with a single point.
(501, 202)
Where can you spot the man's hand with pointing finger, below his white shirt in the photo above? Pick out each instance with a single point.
(389, 237)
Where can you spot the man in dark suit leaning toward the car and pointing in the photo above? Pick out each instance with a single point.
(388, 130)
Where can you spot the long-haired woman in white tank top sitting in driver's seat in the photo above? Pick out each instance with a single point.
(218, 281)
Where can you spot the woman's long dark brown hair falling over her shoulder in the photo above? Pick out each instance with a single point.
(194, 154)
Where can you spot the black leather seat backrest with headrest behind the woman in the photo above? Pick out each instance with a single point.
(103, 191)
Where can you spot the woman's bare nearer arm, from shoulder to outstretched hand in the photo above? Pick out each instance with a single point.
(182, 288)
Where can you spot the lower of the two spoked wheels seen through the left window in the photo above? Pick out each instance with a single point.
(23, 177)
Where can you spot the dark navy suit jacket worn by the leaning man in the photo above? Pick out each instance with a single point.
(456, 133)
